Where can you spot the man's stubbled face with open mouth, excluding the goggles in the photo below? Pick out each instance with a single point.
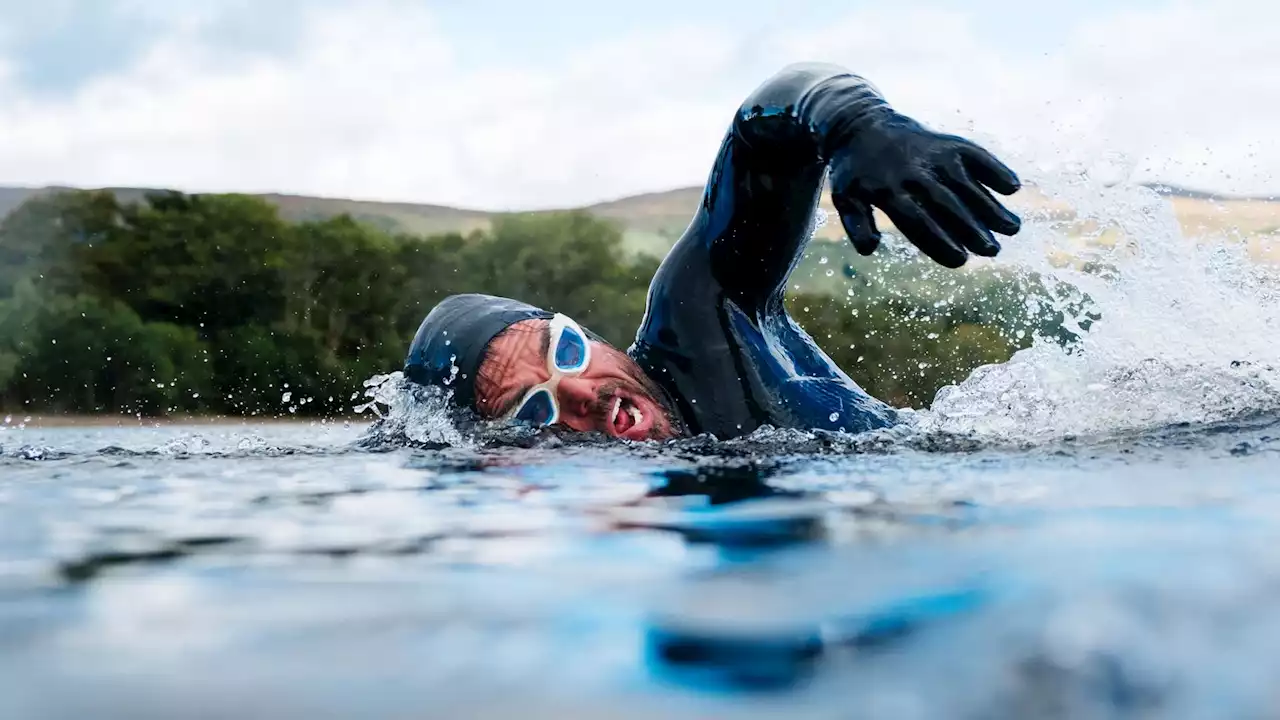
(612, 395)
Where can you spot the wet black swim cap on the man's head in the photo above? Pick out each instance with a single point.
(451, 343)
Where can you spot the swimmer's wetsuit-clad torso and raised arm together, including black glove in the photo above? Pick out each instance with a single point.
(716, 335)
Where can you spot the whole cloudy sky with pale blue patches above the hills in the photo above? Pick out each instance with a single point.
(510, 104)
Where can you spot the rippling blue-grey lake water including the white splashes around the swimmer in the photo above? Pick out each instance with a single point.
(1077, 534)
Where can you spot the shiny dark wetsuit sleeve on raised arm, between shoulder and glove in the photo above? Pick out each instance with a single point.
(758, 209)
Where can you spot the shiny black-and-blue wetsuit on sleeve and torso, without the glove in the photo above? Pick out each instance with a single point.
(716, 335)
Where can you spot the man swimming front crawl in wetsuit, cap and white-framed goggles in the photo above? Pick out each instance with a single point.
(717, 352)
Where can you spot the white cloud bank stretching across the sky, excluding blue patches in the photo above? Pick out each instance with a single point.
(374, 103)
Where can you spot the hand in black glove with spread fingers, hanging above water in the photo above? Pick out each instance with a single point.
(930, 185)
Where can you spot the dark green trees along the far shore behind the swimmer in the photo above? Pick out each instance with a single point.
(214, 304)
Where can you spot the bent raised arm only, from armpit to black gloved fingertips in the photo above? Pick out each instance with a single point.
(758, 207)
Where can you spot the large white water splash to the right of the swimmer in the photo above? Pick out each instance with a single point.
(1185, 327)
